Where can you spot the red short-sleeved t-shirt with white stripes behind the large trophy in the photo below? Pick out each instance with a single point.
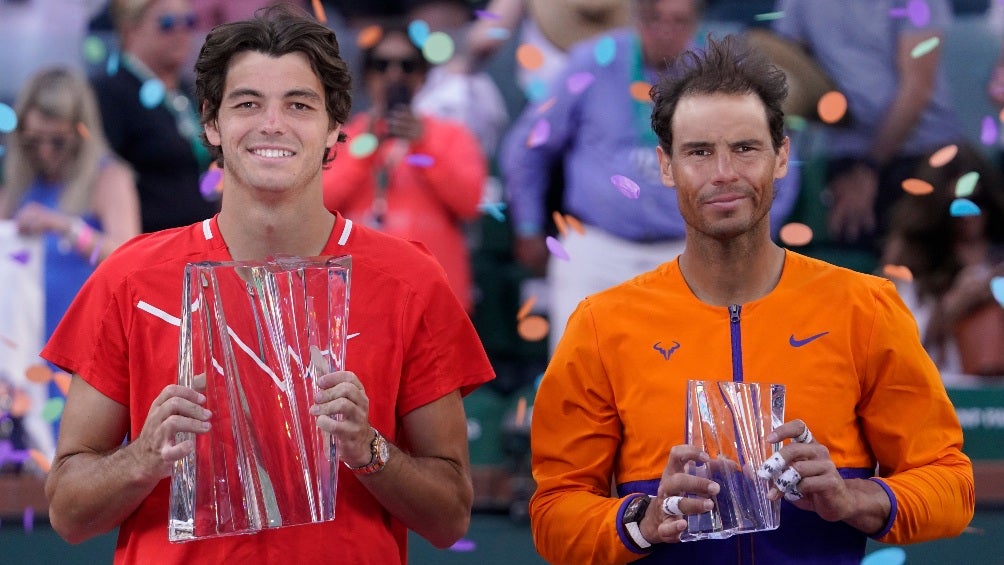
(411, 344)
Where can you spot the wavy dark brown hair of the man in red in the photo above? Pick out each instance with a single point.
(275, 32)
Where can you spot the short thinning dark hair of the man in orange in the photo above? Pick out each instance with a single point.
(724, 68)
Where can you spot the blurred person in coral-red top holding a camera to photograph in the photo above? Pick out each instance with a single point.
(415, 177)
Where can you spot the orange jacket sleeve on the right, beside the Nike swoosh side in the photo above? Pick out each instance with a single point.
(912, 427)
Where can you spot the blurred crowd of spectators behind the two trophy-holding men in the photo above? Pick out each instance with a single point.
(513, 138)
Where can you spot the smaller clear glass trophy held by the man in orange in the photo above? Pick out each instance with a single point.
(729, 421)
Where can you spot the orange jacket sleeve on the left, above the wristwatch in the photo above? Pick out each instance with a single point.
(576, 434)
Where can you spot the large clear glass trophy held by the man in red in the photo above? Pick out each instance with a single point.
(255, 336)
